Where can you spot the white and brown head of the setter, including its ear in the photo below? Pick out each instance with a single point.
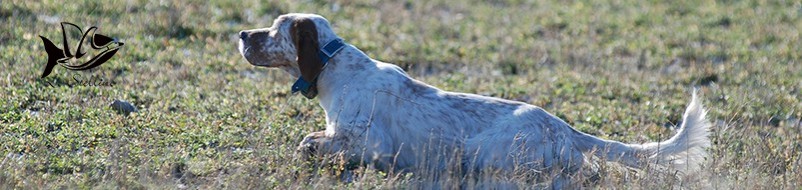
(291, 44)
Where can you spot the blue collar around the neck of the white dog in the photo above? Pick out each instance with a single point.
(308, 88)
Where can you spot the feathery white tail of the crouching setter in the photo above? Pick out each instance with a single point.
(683, 152)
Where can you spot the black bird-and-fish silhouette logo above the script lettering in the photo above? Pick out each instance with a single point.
(71, 58)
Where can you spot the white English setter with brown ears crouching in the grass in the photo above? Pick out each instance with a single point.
(377, 115)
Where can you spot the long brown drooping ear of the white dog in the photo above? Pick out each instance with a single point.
(304, 35)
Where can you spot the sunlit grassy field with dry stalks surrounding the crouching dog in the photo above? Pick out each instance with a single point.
(620, 69)
